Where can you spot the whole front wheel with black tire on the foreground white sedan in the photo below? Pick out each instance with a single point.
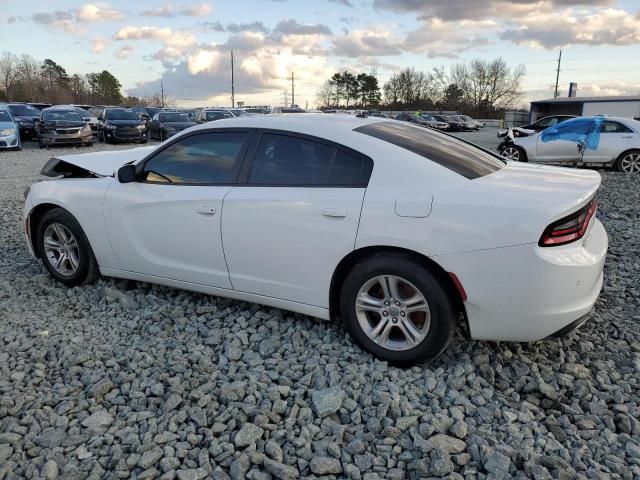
(60, 226)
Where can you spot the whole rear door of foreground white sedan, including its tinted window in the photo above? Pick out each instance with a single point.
(286, 229)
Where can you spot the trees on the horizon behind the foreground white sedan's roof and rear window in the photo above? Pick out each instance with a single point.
(481, 88)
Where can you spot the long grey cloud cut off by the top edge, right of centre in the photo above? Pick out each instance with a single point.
(480, 9)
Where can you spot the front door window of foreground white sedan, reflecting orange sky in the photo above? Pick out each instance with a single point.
(201, 159)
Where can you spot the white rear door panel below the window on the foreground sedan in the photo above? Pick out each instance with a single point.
(267, 233)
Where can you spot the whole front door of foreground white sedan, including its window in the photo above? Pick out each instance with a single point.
(167, 223)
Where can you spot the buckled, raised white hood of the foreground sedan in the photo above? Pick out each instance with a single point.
(103, 164)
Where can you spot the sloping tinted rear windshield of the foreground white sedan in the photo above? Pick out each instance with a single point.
(462, 158)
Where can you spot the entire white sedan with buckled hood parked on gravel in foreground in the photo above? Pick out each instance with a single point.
(401, 232)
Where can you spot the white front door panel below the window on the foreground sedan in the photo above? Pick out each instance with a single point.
(171, 232)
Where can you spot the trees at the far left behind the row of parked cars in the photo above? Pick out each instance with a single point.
(24, 79)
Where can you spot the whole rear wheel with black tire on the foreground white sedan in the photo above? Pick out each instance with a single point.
(434, 323)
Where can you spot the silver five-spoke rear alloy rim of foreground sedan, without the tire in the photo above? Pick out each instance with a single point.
(392, 312)
